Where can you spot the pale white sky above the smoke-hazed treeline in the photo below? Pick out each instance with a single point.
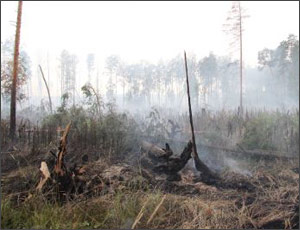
(149, 31)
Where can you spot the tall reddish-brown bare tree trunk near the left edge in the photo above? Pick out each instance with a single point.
(15, 74)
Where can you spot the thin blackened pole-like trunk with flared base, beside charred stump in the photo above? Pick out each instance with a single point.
(200, 166)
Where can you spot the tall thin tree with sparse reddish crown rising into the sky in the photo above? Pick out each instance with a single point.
(234, 26)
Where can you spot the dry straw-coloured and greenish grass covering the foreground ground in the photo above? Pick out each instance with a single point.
(273, 204)
